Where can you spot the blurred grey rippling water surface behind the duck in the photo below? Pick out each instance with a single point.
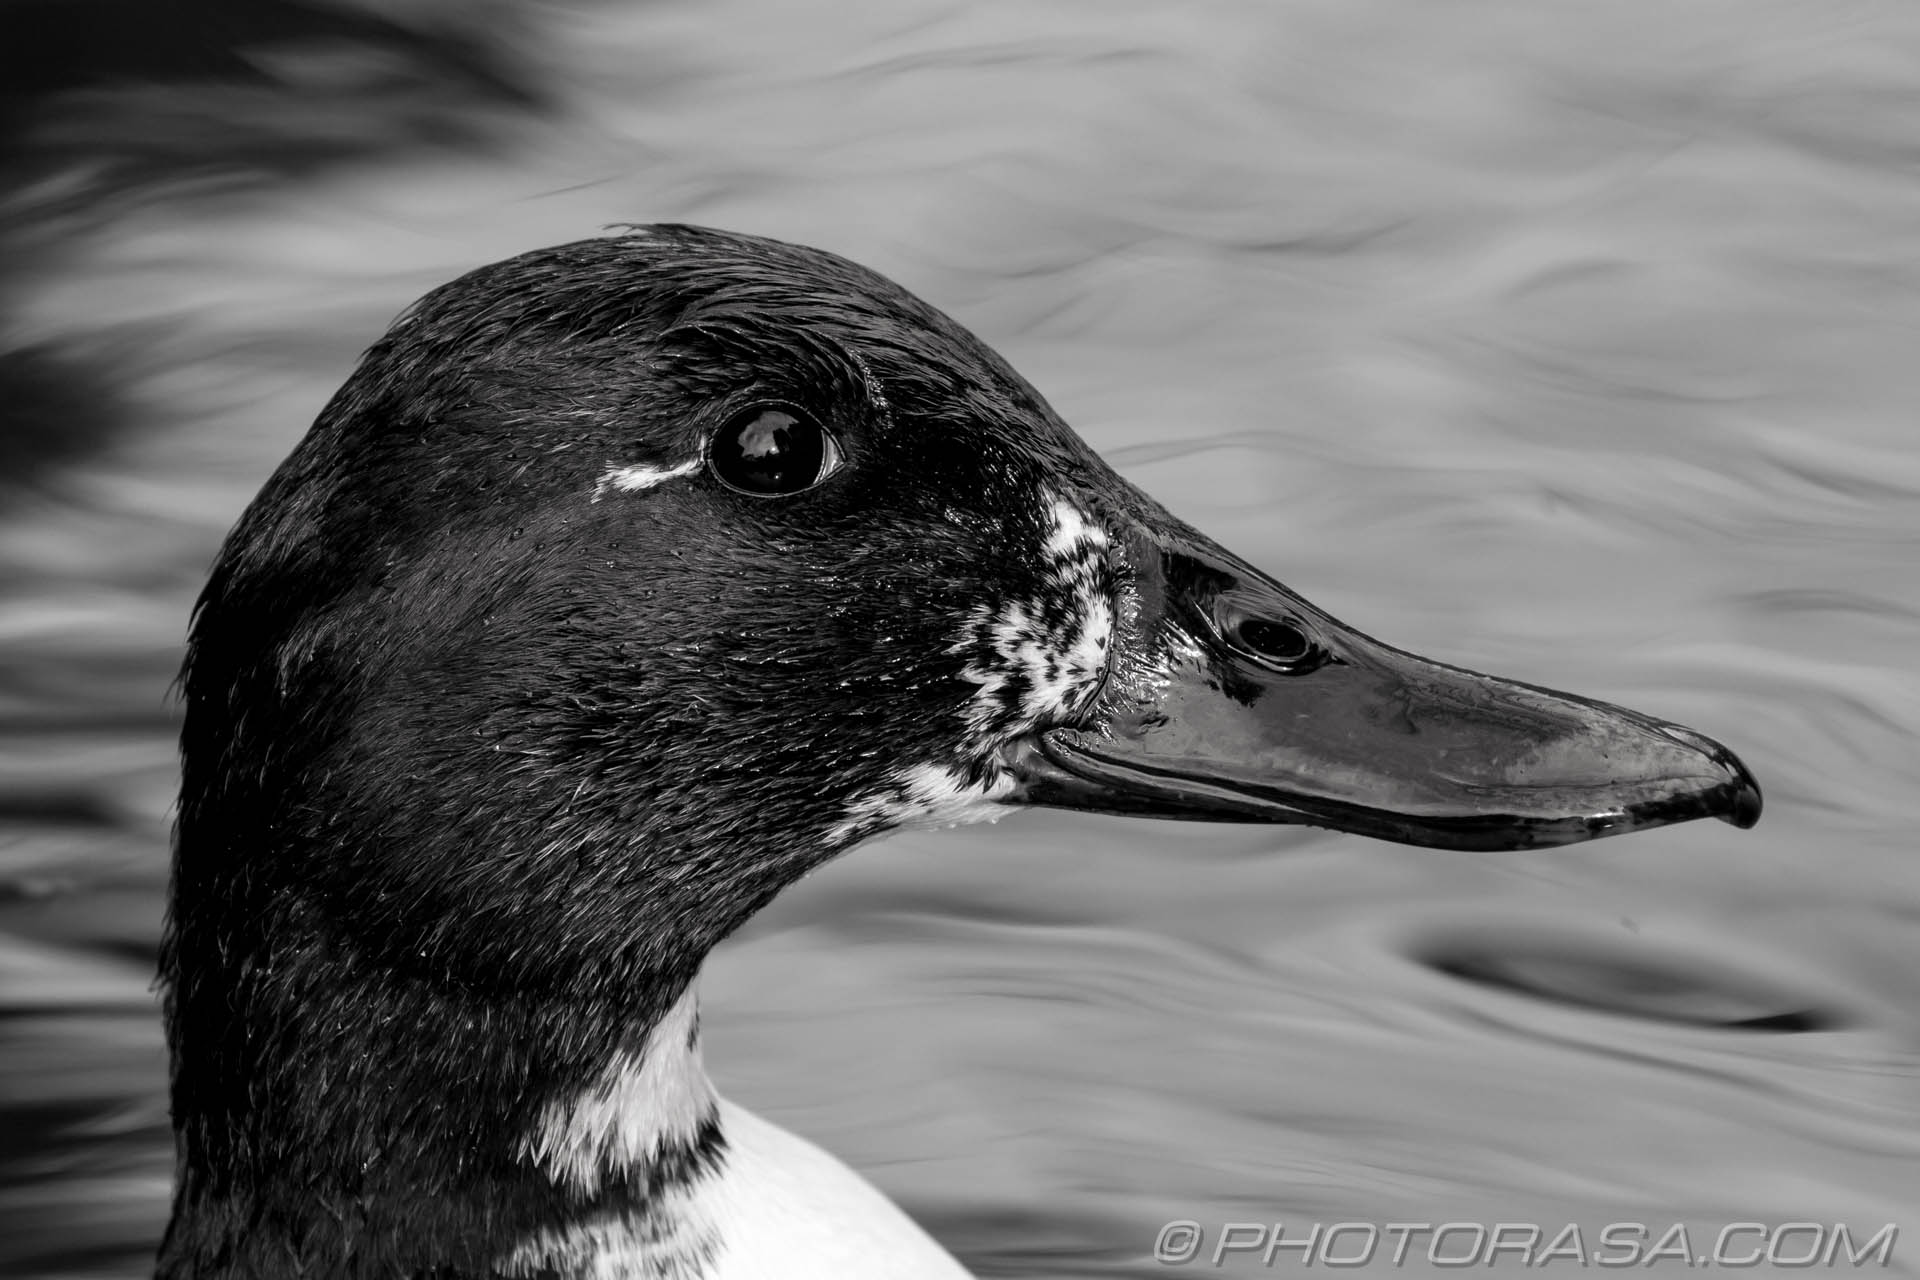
(1566, 341)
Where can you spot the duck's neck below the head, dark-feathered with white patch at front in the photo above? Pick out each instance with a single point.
(337, 1122)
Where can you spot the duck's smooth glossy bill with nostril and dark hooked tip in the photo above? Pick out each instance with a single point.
(1236, 699)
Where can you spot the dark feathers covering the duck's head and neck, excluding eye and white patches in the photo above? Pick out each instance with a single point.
(479, 761)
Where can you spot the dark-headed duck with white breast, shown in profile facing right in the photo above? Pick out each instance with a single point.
(623, 584)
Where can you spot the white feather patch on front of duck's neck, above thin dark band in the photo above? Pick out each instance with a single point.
(646, 1101)
